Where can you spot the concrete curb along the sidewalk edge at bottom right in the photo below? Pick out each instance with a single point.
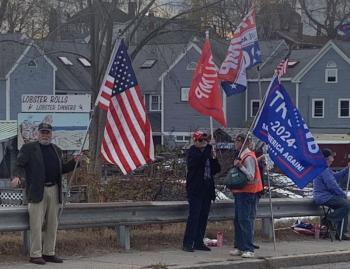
(275, 262)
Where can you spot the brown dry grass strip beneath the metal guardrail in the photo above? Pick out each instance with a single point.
(99, 241)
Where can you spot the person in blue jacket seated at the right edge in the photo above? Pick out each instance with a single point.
(327, 192)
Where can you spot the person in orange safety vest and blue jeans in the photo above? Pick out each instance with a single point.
(246, 199)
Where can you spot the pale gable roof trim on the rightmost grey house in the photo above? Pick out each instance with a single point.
(330, 45)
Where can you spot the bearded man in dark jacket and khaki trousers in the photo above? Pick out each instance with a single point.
(39, 164)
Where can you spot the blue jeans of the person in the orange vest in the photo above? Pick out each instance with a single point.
(244, 220)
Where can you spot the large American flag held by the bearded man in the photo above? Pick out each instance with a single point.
(127, 140)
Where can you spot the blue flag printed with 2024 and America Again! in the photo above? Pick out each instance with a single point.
(291, 145)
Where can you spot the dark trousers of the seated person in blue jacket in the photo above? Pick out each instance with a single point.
(341, 209)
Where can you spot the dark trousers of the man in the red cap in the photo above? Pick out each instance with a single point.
(196, 225)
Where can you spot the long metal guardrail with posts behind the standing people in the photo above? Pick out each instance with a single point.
(124, 214)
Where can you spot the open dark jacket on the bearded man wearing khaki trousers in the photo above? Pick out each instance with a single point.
(30, 165)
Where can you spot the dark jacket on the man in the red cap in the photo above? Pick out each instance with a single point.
(195, 184)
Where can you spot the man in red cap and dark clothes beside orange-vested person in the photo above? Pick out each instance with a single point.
(202, 165)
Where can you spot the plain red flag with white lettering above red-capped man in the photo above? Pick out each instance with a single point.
(205, 94)
